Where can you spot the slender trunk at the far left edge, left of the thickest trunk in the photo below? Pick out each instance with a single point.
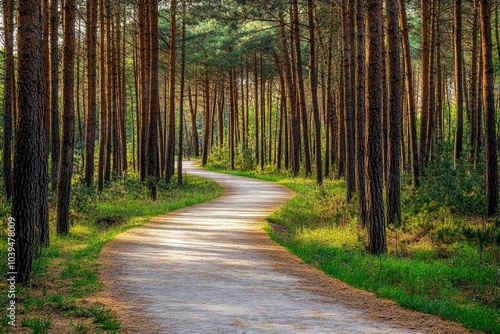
(9, 95)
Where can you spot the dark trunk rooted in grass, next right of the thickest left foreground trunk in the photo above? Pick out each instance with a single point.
(68, 139)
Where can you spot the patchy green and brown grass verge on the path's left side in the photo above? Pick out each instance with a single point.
(64, 275)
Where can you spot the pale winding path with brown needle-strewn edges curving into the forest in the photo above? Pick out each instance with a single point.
(211, 268)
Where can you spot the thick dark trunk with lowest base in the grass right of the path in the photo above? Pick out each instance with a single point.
(375, 202)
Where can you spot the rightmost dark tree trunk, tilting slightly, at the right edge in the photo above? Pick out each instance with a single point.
(489, 109)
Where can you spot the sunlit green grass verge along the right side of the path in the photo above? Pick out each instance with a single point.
(452, 280)
